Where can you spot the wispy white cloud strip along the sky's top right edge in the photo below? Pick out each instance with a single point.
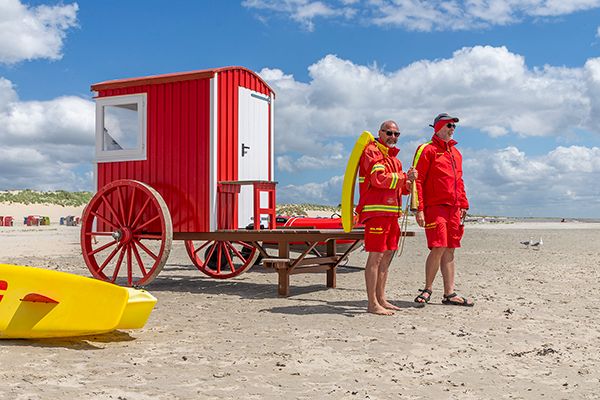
(417, 15)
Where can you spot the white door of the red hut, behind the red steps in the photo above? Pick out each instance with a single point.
(253, 151)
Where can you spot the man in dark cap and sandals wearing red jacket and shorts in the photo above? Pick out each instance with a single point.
(442, 206)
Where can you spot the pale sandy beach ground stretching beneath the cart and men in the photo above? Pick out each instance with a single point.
(533, 333)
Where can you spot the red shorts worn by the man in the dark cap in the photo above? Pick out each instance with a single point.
(443, 227)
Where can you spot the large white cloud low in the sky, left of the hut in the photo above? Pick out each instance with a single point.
(45, 144)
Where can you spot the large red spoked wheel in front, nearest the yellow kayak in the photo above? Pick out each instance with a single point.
(126, 233)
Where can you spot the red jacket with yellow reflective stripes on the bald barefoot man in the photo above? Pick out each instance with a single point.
(381, 182)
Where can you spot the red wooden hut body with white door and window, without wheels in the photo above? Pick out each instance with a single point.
(183, 133)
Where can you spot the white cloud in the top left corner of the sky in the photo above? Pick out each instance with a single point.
(33, 32)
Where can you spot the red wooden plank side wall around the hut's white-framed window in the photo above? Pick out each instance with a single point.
(177, 163)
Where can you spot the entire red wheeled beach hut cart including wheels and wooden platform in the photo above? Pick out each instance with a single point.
(189, 156)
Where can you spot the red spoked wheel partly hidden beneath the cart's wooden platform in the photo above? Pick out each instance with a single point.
(221, 259)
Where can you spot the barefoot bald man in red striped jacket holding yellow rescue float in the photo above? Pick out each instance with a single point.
(382, 184)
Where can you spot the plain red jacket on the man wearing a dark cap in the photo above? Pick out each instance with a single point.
(440, 179)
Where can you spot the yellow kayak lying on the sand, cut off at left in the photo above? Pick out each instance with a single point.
(40, 303)
